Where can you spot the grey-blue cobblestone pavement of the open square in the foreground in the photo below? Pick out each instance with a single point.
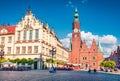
(44, 75)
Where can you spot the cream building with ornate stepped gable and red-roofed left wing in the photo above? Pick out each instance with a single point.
(30, 39)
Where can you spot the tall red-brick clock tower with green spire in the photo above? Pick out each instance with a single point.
(76, 38)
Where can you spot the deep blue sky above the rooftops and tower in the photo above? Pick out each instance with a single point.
(98, 17)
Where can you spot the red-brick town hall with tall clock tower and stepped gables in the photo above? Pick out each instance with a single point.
(80, 55)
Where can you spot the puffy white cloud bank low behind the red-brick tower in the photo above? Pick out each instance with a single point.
(108, 42)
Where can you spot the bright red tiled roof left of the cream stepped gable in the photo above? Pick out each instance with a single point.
(10, 29)
